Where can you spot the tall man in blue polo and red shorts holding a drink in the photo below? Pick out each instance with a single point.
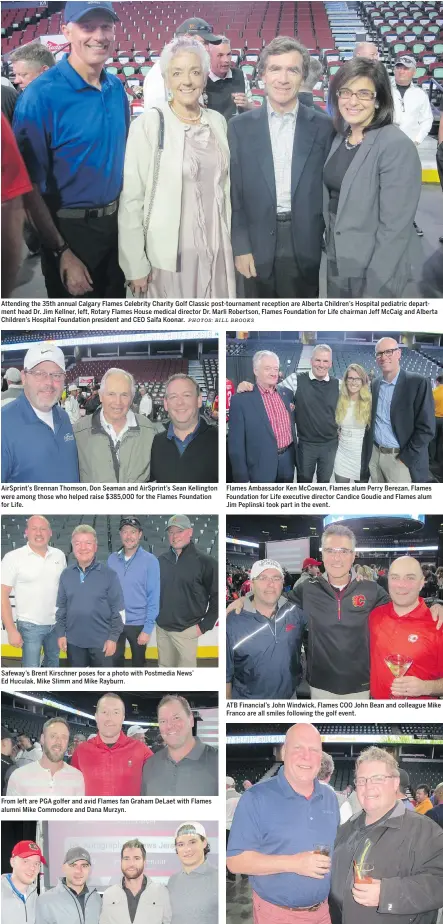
(277, 829)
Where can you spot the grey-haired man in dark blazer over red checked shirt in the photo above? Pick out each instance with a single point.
(261, 427)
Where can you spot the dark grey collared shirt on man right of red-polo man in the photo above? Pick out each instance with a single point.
(193, 775)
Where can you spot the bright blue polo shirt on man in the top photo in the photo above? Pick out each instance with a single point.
(73, 136)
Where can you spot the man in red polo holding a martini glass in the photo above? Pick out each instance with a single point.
(405, 627)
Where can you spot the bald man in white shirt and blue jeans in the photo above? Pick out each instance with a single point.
(33, 572)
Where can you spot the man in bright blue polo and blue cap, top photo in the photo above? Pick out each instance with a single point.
(71, 127)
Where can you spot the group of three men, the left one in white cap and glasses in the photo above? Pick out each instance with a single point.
(113, 438)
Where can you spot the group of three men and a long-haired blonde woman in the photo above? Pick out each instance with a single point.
(310, 425)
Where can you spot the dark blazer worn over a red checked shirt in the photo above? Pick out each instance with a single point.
(252, 445)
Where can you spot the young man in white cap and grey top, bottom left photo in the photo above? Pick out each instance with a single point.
(193, 891)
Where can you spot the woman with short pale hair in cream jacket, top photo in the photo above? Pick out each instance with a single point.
(175, 209)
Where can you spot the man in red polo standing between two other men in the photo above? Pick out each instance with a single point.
(111, 763)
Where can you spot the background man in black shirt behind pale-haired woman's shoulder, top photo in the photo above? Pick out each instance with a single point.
(227, 89)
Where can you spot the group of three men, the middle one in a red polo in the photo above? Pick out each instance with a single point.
(113, 760)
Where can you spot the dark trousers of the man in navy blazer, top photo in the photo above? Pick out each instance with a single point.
(286, 280)
